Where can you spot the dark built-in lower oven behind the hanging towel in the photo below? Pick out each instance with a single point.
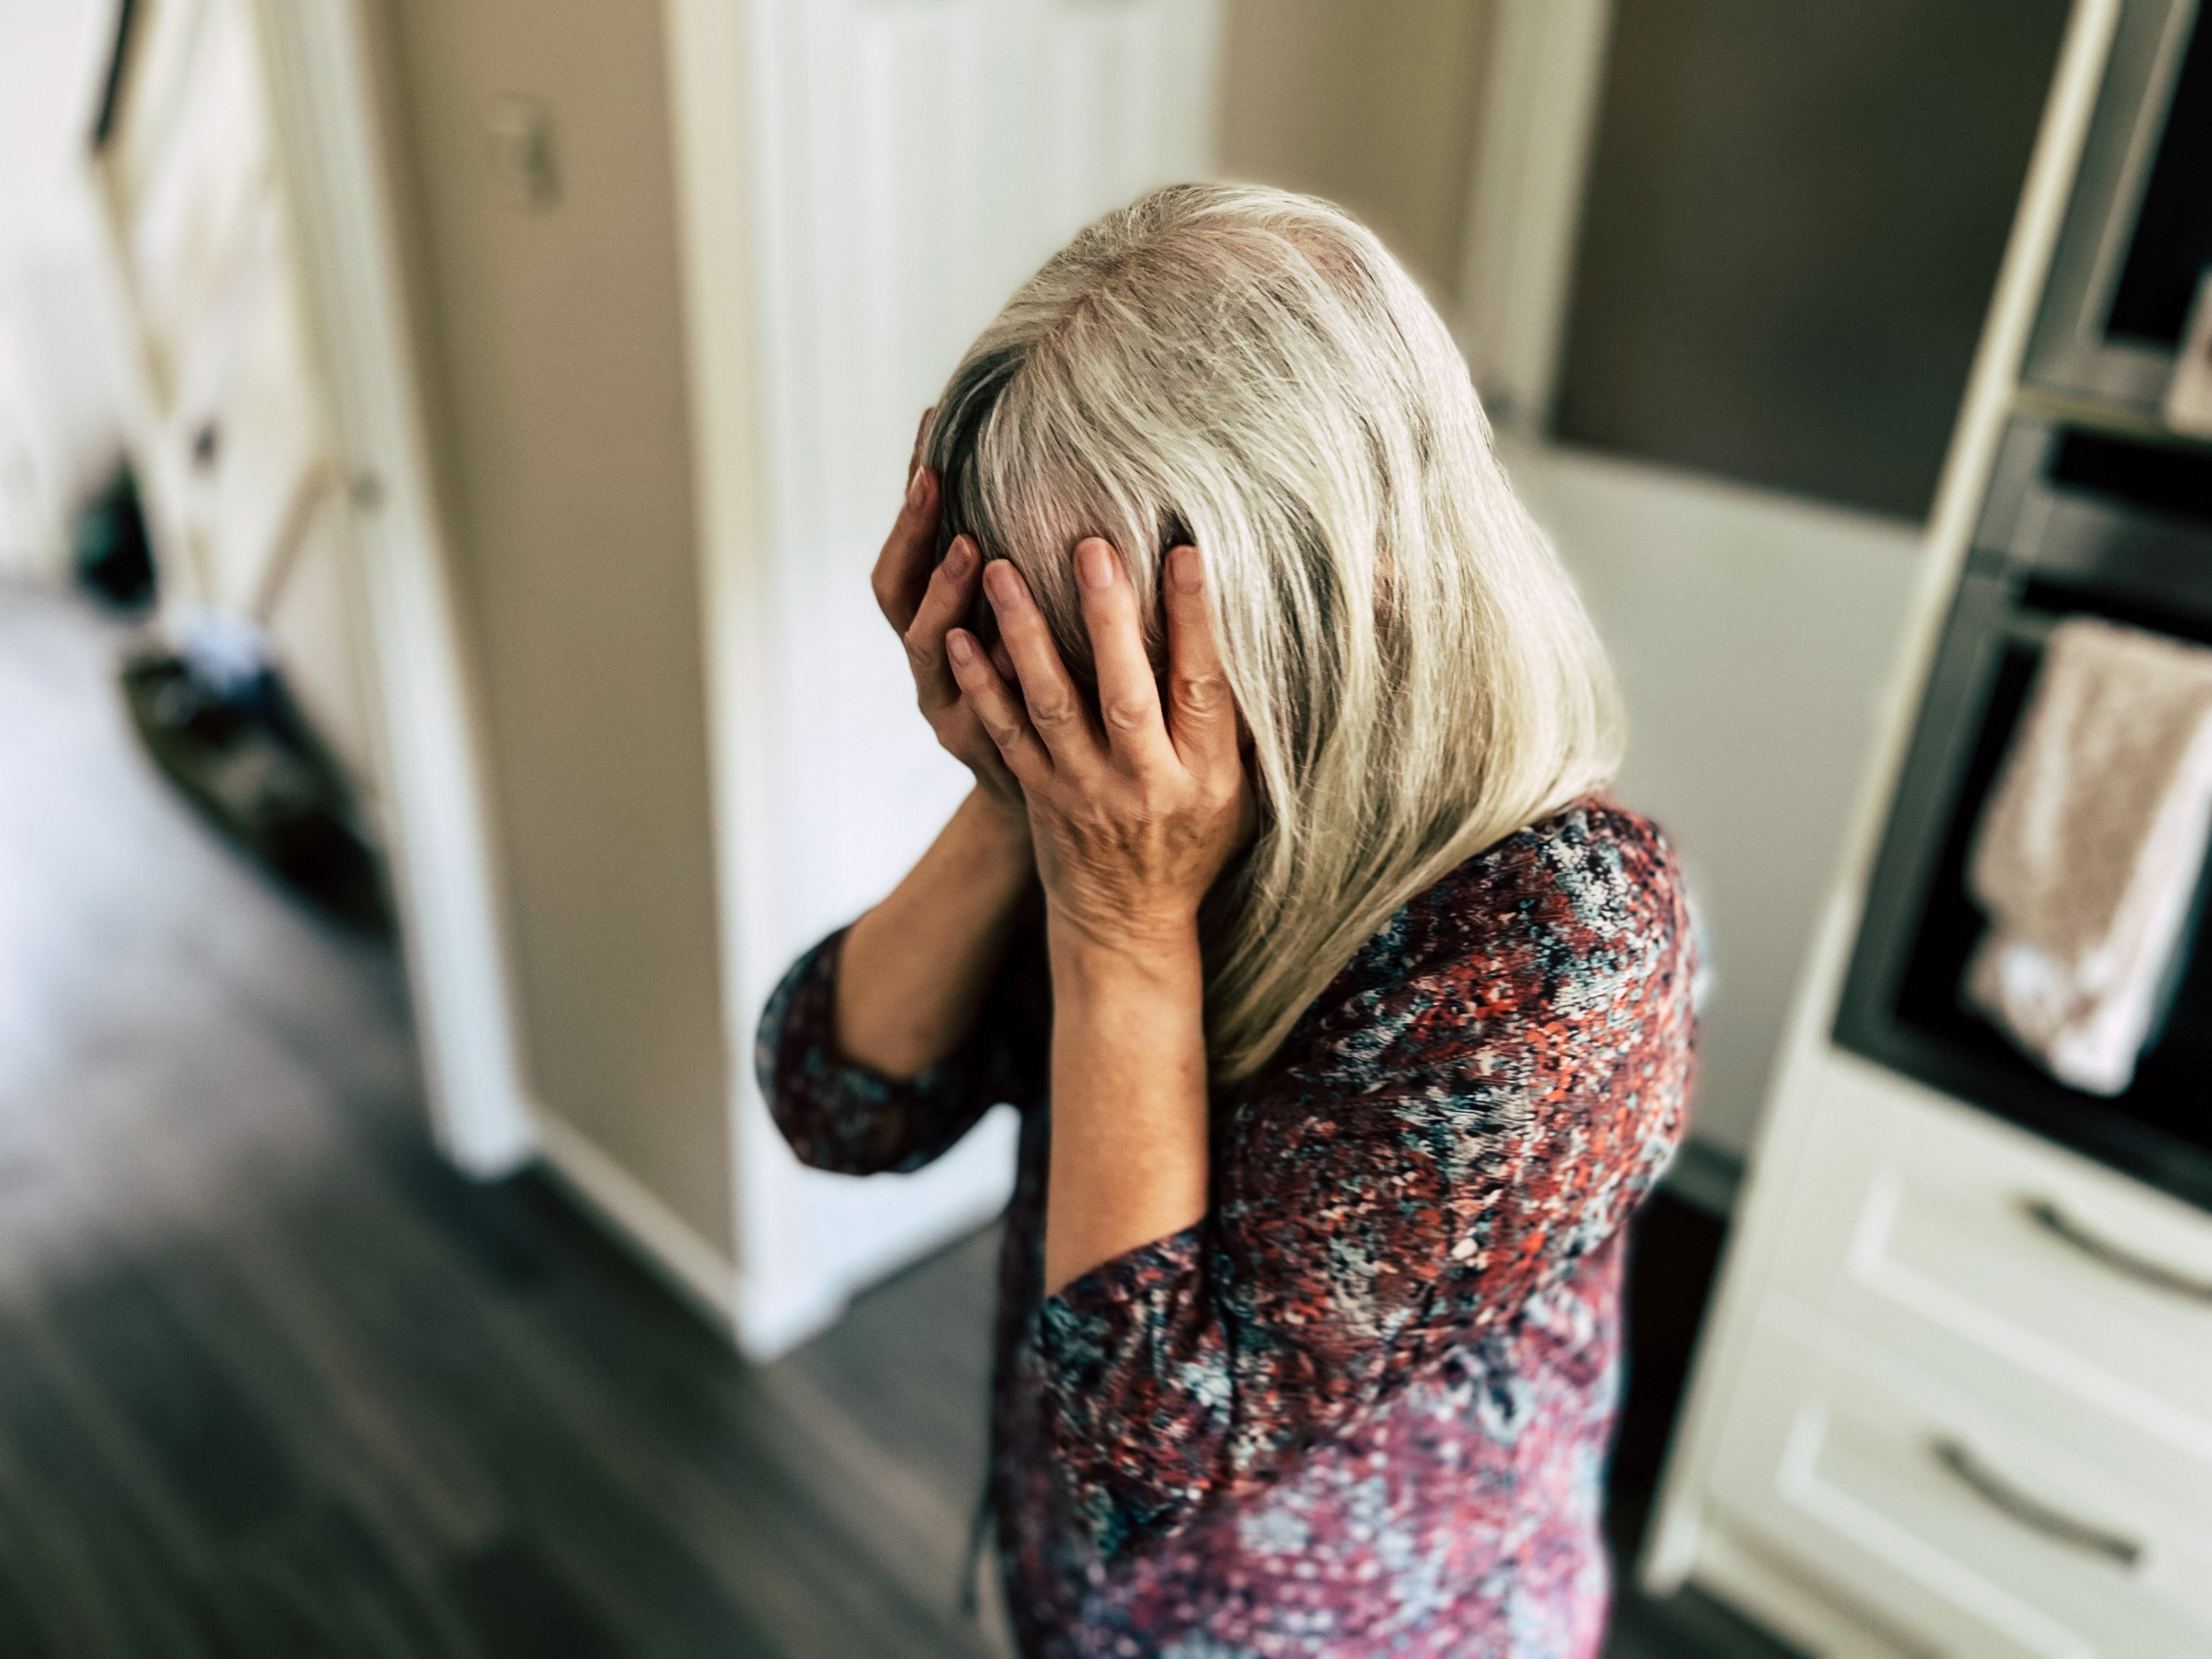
(2074, 523)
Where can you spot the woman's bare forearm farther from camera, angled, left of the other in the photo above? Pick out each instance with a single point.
(917, 968)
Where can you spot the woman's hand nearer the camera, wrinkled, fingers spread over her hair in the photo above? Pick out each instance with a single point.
(1136, 808)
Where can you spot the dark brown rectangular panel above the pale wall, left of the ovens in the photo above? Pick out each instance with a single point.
(1793, 229)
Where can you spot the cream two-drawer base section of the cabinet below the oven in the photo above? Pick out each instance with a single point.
(1959, 1415)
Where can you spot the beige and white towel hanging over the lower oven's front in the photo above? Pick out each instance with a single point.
(2091, 848)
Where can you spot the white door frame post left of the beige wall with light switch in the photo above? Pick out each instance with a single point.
(439, 828)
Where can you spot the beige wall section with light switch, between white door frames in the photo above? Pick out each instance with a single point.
(565, 461)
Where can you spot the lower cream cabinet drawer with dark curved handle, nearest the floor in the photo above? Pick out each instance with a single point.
(1970, 1536)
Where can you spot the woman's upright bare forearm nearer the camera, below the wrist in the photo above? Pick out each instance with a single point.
(1129, 1100)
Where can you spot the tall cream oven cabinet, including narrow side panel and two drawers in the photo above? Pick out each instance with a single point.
(1957, 1390)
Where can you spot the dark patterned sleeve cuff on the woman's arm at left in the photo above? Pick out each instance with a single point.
(851, 1120)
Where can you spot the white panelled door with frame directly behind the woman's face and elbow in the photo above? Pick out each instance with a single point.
(908, 165)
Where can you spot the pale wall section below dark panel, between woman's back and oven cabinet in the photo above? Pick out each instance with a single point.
(1753, 636)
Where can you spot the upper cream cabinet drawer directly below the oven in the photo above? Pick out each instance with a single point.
(1912, 1209)
